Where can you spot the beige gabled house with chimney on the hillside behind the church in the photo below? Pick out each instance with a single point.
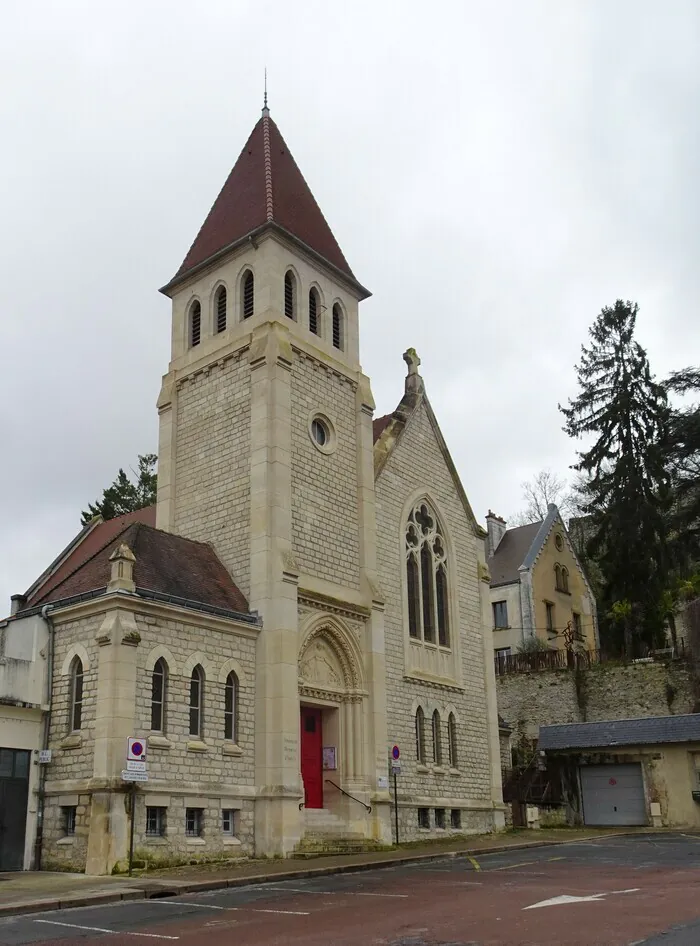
(538, 586)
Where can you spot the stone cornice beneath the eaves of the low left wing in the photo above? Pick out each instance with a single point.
(135, 604)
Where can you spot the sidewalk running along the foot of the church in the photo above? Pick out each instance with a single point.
(36, 892)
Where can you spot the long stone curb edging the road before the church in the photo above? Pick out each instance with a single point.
(164, 891)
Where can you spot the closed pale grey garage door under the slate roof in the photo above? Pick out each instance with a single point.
(613, 794)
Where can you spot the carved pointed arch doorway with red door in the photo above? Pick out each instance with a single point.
(332, 706)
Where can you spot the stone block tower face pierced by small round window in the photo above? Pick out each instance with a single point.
(325, 527)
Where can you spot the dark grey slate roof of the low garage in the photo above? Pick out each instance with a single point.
(621, 732)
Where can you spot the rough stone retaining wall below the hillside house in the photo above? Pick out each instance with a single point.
(605, 691)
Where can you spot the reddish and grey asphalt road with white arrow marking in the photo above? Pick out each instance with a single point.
(615, 891)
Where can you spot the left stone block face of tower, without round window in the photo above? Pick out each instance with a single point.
(212, 463)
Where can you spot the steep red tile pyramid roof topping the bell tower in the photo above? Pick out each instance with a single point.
(265, 186)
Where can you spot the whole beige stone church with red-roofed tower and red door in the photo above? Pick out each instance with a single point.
(310, 591)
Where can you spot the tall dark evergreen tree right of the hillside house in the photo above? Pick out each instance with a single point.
(626, 411)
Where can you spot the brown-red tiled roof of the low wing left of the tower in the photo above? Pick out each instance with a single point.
(166, 564)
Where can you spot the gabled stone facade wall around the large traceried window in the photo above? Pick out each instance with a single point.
(415, 465)
